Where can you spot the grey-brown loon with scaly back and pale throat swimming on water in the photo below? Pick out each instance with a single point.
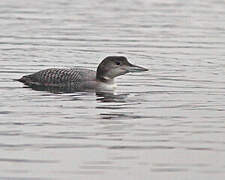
(83, 79)
